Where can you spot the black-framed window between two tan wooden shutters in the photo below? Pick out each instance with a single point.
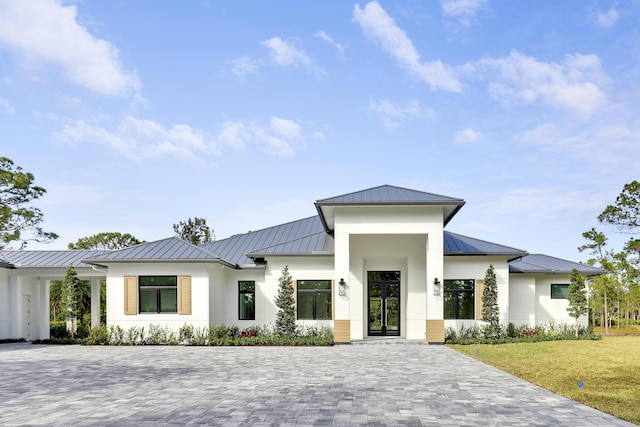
(158, 294)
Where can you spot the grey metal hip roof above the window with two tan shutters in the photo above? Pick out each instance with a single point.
(172, 249)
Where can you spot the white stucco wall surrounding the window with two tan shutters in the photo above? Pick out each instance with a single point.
(199, 273)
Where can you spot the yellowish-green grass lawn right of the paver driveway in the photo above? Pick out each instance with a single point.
(609, 368)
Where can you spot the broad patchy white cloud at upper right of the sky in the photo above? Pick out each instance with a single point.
(575, 83)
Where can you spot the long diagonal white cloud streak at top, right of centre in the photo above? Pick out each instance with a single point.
(379, 26)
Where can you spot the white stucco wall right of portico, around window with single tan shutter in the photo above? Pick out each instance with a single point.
(475, 267)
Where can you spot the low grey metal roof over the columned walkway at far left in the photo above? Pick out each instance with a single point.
(60, 258)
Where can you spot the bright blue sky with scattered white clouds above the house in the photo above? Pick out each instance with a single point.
(135, 115)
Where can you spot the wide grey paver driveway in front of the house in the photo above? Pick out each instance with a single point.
(375, 384)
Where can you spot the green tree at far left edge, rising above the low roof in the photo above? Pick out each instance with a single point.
(19, 222)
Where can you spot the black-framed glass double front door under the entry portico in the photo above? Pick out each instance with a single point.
(384, 303)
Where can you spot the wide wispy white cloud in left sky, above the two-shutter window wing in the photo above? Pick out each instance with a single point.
(139, 138)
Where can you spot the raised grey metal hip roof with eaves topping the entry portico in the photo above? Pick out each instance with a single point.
(387, 195)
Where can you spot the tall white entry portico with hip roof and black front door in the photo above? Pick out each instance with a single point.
(388, 231)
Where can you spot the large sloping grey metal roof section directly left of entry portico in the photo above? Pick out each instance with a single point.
(298, 235)
